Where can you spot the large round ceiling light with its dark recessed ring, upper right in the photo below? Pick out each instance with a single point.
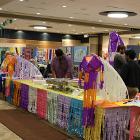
(118, 14)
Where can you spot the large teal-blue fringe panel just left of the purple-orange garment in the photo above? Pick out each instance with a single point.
(75, 118)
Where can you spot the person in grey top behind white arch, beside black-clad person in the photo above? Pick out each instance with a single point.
(119, 59)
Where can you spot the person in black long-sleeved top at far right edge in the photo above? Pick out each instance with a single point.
(130, 73)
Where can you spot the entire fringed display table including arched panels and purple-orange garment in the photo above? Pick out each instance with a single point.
(99, 113)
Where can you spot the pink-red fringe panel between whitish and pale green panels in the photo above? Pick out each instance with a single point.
(41, 103)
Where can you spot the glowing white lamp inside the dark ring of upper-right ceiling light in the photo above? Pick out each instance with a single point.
(117, 15)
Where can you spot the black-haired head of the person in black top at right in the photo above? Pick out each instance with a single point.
(130, 55)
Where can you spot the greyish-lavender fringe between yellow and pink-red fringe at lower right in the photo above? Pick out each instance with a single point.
(116, 121)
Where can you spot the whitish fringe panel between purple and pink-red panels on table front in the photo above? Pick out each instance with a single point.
(32, 100)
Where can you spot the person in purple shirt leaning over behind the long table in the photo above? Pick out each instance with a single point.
(61, 65)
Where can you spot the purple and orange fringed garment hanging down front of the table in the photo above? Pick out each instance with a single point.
(89, 68)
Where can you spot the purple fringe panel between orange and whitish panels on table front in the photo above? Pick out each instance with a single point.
(24, 96)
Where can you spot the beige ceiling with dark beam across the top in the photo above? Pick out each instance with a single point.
(81, 11)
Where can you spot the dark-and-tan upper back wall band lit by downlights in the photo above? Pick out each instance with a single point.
(14, 38)
